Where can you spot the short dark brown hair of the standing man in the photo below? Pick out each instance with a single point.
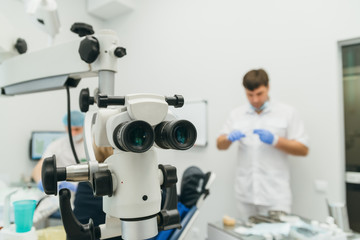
(255, 78)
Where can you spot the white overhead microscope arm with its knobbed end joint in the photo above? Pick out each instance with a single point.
(98, 57)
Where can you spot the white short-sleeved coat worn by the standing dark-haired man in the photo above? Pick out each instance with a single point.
(262, 173)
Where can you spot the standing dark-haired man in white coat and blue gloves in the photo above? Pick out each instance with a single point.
(265, 132)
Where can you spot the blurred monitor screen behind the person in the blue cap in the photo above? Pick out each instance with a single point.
(40, 140)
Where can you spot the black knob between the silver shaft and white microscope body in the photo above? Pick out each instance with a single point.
(103, 184)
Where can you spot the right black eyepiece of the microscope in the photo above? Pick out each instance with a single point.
(178, 134)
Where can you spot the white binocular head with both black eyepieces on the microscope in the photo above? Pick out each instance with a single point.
(143, 121)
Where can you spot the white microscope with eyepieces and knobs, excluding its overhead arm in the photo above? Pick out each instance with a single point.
(130, 180)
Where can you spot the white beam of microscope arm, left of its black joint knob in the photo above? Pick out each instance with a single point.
(65, 69)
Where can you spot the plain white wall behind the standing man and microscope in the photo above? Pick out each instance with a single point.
(201, 49)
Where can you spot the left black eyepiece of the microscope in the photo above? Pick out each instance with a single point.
(134, 136)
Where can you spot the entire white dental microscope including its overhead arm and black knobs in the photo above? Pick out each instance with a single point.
(130, 181)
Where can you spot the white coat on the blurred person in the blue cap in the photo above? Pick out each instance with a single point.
(62, 150)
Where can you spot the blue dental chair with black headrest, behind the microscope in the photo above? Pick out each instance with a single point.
(194, 189)
